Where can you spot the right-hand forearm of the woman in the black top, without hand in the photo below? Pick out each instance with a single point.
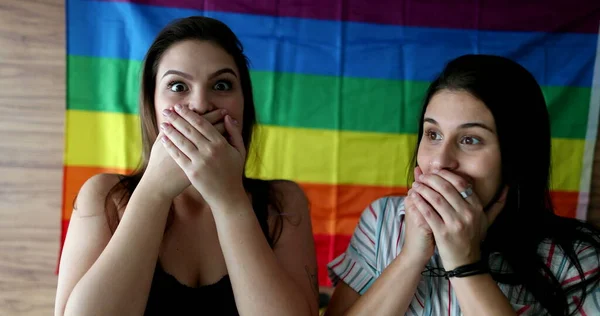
(260, 284)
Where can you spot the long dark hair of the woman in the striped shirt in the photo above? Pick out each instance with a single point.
(516, 102)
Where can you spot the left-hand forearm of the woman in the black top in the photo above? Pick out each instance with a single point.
(119, 281)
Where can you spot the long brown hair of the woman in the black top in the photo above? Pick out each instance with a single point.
(264, 198)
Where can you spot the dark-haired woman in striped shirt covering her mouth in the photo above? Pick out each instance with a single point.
(476, 233)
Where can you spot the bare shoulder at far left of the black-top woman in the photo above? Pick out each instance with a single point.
(91, 199)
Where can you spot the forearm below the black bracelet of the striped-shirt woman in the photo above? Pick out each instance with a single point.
(480, 295)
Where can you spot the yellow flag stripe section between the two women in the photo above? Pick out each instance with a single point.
(332, 157)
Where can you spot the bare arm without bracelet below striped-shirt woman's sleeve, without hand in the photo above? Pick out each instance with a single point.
(377, 300)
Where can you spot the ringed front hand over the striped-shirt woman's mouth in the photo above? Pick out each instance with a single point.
(458, 224)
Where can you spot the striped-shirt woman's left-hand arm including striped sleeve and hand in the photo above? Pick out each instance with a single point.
(401, 277)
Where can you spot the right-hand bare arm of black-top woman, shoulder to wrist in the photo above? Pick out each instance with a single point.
(266, 281)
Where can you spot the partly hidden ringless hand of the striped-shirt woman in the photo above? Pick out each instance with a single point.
(419, 243)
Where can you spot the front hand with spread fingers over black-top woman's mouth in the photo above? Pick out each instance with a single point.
(213, 164)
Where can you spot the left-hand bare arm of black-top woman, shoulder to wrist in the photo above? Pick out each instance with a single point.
(104, 275)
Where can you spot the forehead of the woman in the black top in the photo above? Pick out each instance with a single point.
(194, 56)
